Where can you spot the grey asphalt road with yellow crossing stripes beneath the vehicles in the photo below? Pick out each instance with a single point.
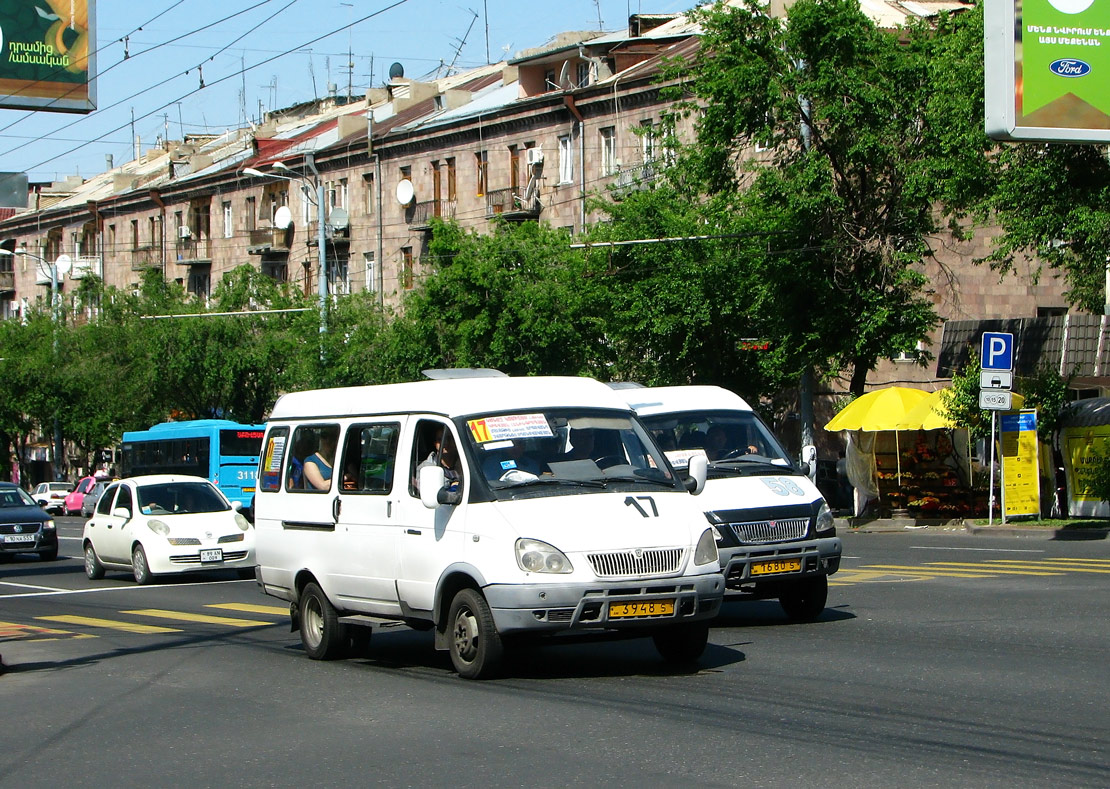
(944, 660)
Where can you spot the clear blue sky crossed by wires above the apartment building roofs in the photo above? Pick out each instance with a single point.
(291, 50)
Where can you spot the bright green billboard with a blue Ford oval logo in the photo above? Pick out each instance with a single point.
(1047, 70)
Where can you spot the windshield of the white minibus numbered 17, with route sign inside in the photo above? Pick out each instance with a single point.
(564, 451)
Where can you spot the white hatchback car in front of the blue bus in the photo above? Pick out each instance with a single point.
(165, 523)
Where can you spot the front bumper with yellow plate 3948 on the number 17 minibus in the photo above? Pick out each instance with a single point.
(606, 605)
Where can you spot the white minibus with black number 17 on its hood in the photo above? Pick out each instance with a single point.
(483, 508)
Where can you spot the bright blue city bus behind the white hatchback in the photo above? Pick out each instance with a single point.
(221, 451)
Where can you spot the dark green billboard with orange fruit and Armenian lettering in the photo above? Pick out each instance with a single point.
(48, 55)
